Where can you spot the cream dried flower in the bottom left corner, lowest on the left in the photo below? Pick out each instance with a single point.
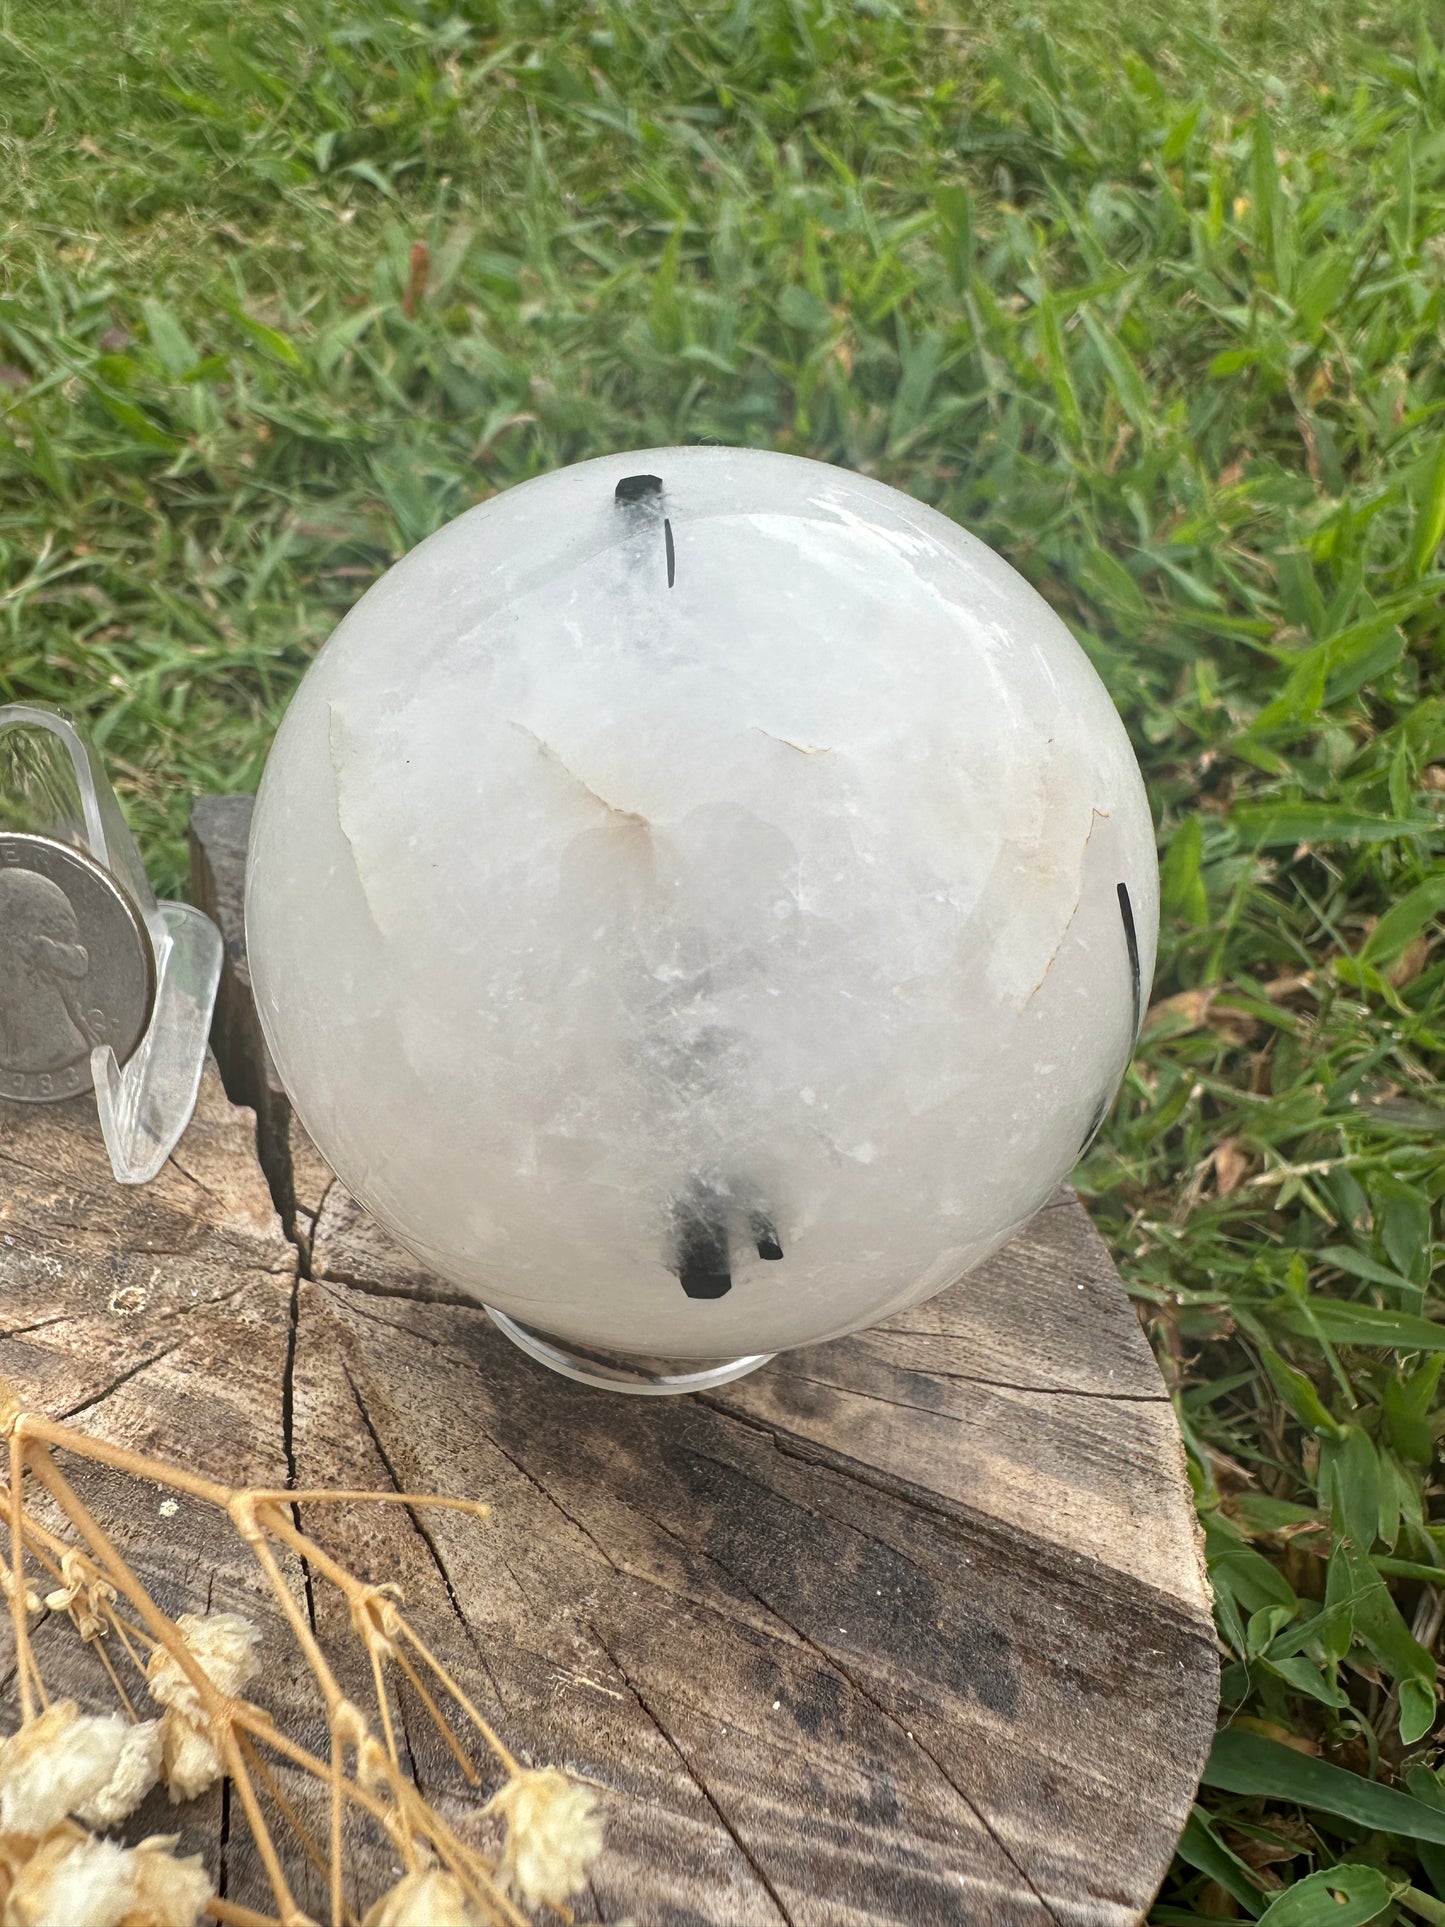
(72, 1880)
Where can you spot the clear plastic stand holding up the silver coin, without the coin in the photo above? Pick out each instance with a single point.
(53, 785)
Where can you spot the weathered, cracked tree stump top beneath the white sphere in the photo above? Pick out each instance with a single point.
(906, 1627)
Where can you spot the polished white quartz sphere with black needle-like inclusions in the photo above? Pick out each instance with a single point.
(743, 860)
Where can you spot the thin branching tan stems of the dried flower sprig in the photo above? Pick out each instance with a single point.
(361, 1772)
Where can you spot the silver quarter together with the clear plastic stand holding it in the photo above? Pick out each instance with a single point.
(101, 986)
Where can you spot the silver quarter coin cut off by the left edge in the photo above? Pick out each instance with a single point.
(76, 968)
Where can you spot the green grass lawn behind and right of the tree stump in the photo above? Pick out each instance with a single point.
(1147, 298)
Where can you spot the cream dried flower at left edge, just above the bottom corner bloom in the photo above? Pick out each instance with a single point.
(66, 1762)
